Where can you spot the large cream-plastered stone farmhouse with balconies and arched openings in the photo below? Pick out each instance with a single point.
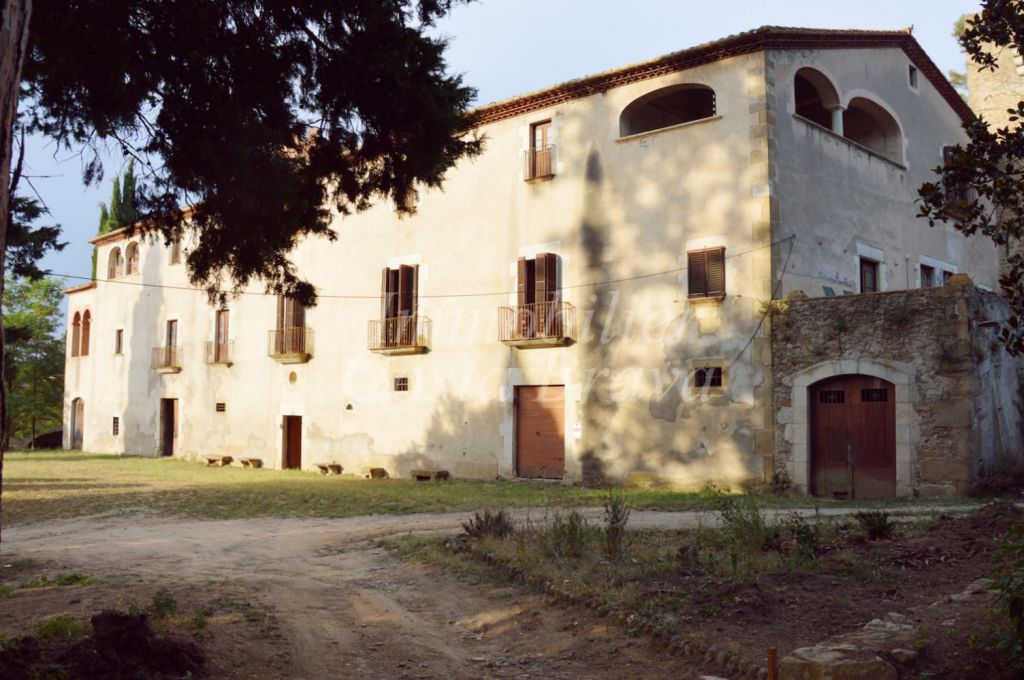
(703, 269)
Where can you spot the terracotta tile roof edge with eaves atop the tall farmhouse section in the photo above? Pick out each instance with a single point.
(765, 38)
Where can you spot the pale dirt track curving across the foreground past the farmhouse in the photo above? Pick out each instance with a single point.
(348, 609)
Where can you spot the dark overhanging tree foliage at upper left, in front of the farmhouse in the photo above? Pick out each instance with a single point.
(267, 117)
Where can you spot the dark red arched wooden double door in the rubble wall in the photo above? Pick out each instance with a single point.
(854, 438)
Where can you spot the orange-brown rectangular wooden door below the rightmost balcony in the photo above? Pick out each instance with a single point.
(541, 432)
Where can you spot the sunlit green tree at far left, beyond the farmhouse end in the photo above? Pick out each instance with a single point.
(34, 371)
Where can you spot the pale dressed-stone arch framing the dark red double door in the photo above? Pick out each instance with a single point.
(798, 432)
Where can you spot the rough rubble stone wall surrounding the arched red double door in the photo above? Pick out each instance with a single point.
(959, 406)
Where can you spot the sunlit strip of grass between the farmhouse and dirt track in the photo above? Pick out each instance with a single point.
(56, 485)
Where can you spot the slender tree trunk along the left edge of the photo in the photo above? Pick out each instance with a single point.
(15, 17)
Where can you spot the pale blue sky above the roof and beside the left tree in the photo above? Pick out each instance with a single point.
(506, 48)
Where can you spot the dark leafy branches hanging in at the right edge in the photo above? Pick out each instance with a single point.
(983, 184)
